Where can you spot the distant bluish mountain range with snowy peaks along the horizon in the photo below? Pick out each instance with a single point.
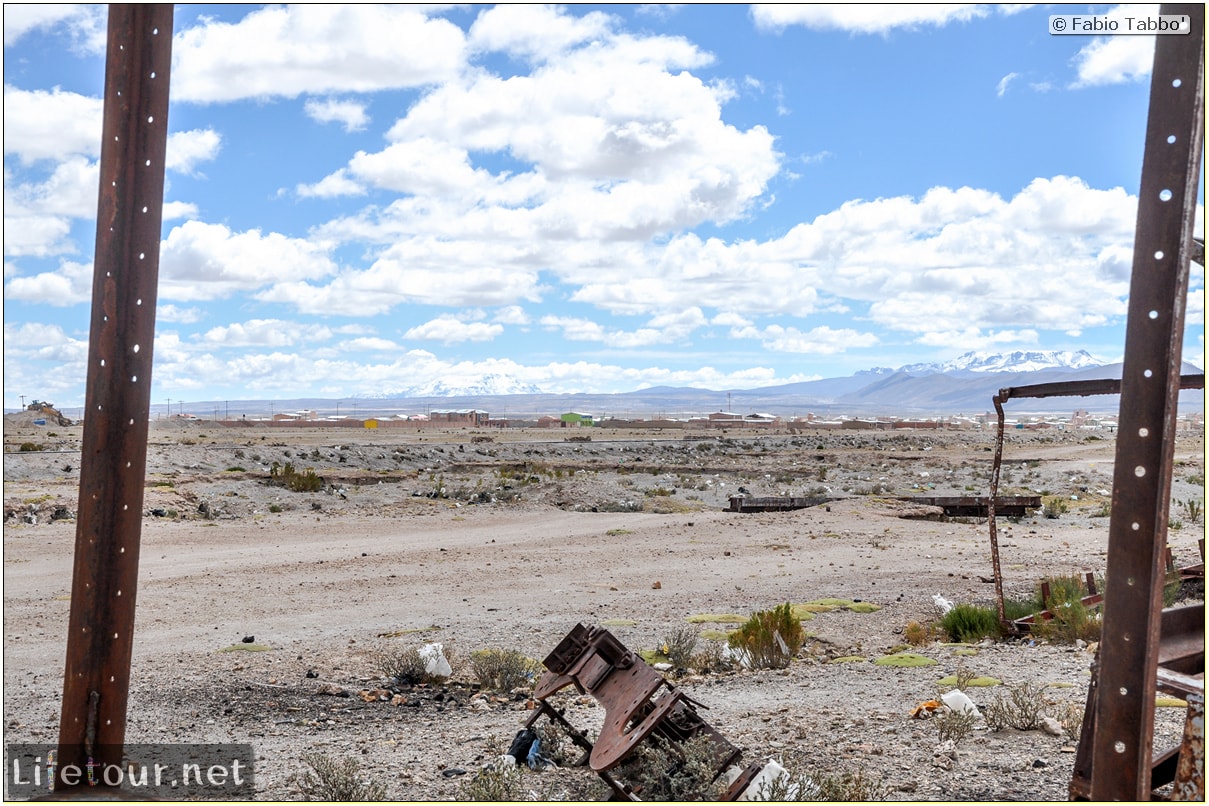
(965, 385)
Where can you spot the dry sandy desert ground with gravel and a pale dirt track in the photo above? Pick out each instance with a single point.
(507, 540)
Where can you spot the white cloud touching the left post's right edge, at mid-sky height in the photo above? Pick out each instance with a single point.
(207, 262)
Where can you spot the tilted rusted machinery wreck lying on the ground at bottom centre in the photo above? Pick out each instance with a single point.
(639, 704)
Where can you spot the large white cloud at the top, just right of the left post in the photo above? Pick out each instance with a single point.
(287, 51)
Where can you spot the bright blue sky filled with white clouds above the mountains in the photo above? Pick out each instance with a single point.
(367, 200)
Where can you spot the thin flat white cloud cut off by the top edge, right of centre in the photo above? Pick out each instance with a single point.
(864, 19)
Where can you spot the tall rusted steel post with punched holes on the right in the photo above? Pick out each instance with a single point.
(1150, 385)
